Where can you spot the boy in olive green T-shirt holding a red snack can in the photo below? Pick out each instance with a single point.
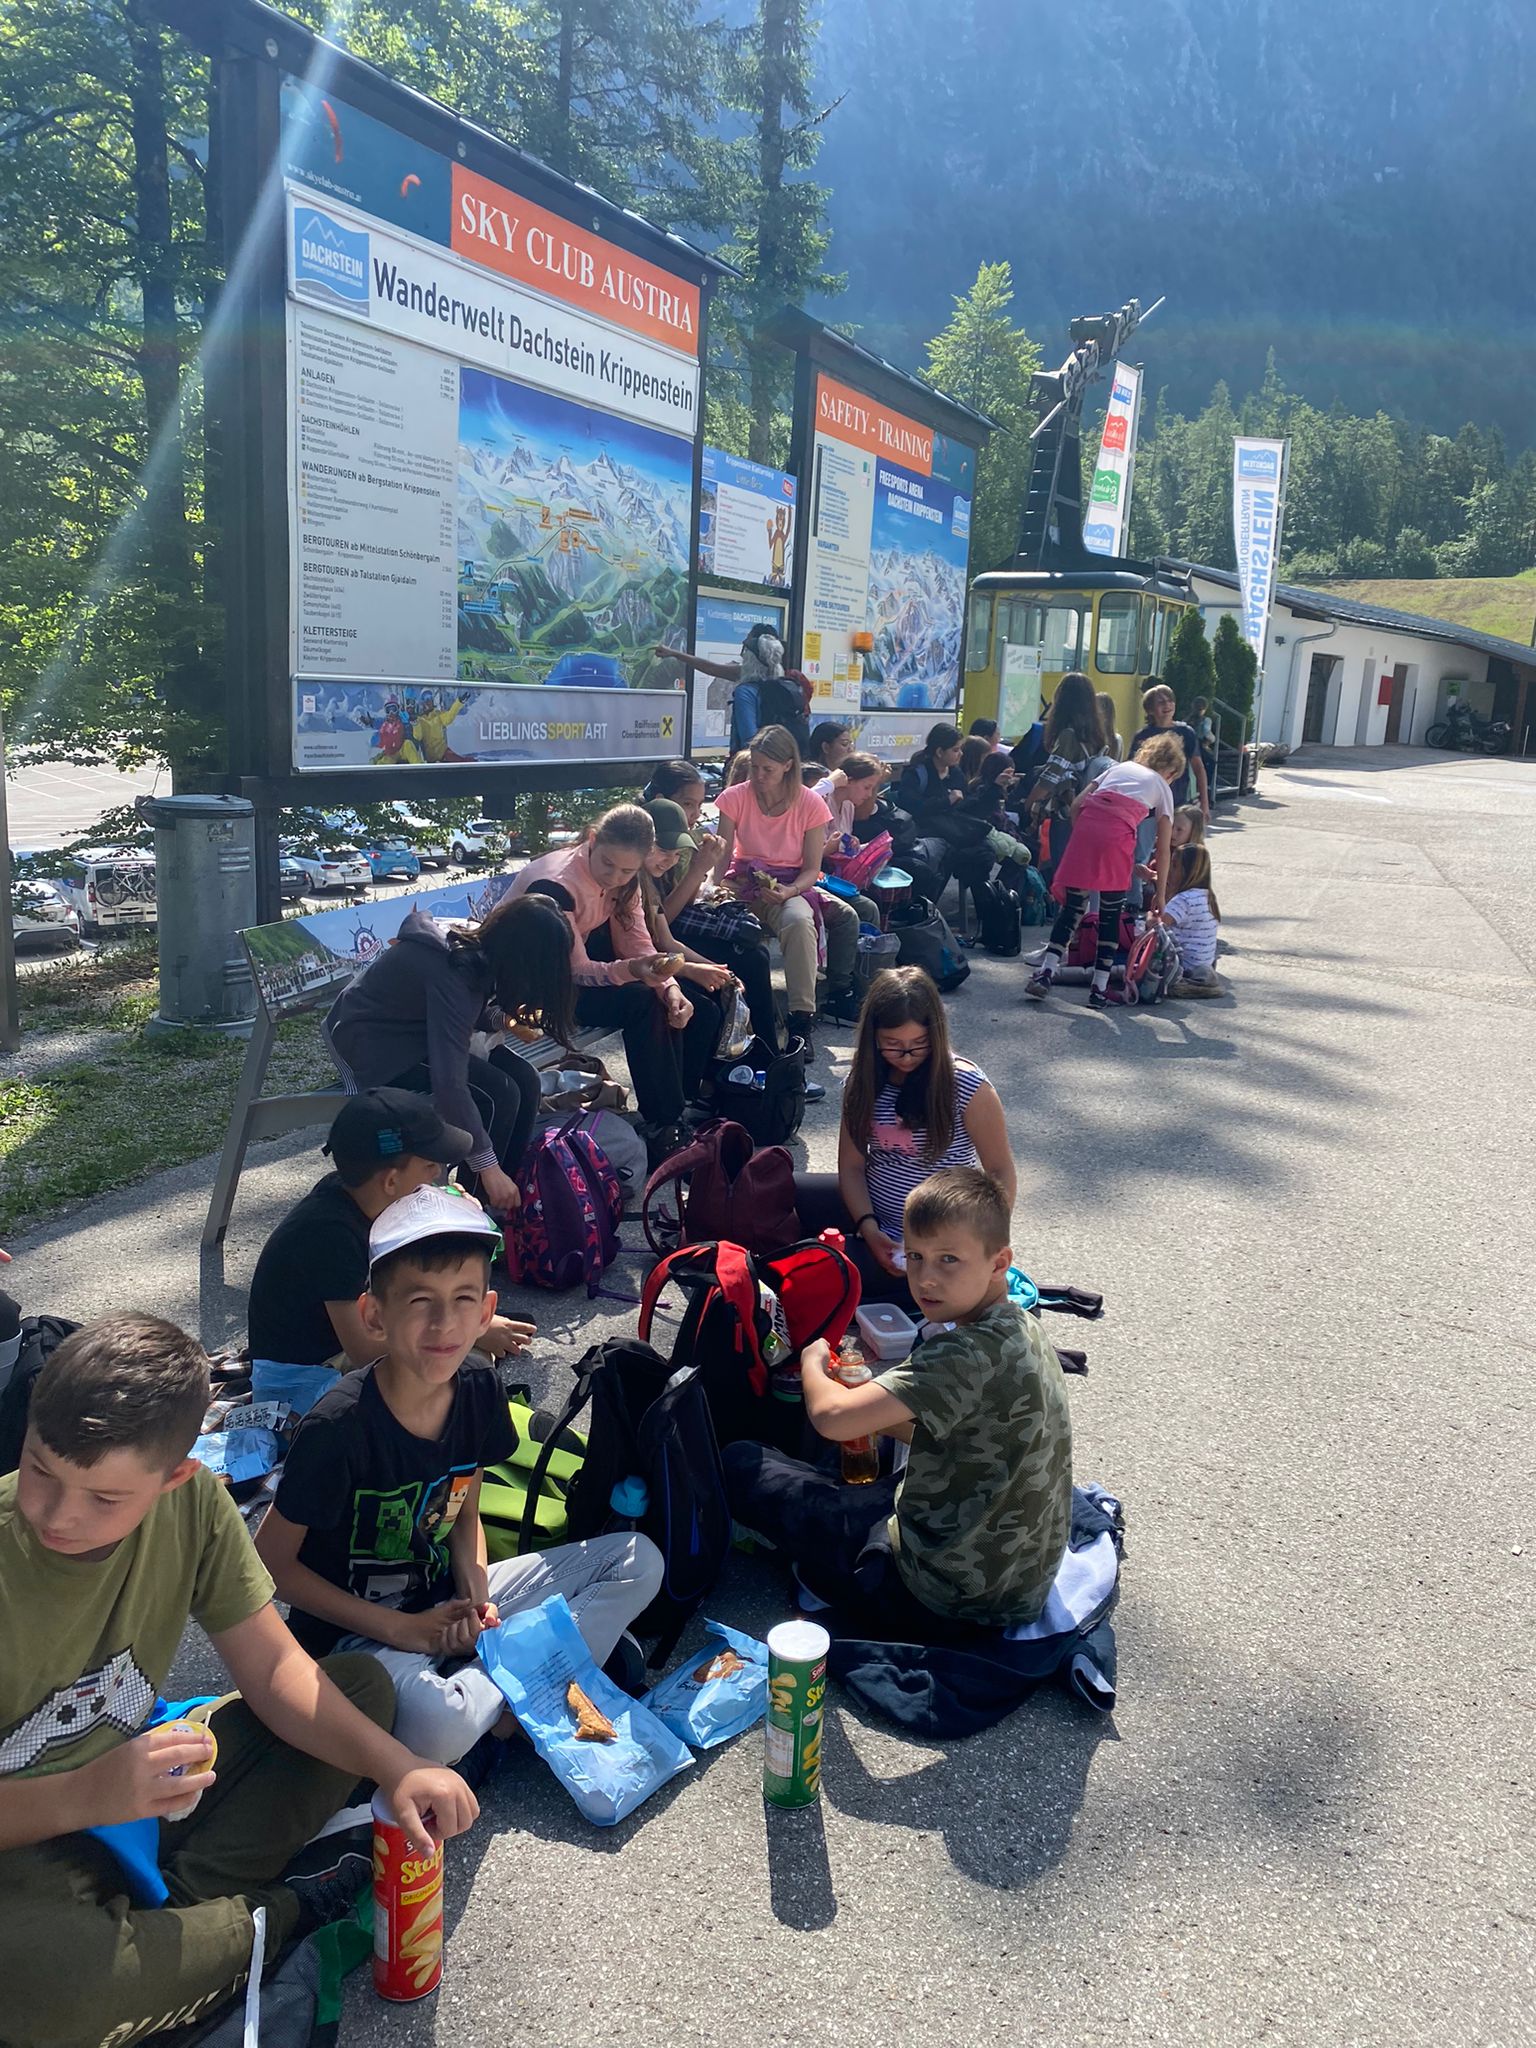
(110, 1539)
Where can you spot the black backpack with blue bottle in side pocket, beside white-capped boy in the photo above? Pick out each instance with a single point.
(650, 1420)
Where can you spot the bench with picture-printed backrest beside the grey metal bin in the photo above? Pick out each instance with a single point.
(300, 968)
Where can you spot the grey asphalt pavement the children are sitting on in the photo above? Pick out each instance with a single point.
(1310, 1820)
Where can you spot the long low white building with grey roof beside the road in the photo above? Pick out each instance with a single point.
(1355, 675)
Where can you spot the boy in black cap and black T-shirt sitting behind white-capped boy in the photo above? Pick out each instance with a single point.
(304, 1295)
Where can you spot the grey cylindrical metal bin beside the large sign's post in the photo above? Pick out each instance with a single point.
(206, 882)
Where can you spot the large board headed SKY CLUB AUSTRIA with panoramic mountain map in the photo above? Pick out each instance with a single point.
(493, 464)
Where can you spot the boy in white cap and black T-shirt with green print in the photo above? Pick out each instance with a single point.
(376, 1533)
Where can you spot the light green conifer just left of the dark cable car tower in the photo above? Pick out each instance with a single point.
(986, 361)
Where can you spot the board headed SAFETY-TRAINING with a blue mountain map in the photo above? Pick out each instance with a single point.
(890, 542)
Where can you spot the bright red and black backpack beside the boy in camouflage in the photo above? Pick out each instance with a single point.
(746, 1322)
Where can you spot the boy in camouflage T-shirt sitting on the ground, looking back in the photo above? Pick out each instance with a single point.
(974, 1529)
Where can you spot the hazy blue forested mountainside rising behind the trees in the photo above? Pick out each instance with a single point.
(1347, 181)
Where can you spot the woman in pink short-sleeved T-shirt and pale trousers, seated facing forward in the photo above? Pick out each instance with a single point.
(775, 835)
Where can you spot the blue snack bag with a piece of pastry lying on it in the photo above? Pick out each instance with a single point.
(548, 1678)
